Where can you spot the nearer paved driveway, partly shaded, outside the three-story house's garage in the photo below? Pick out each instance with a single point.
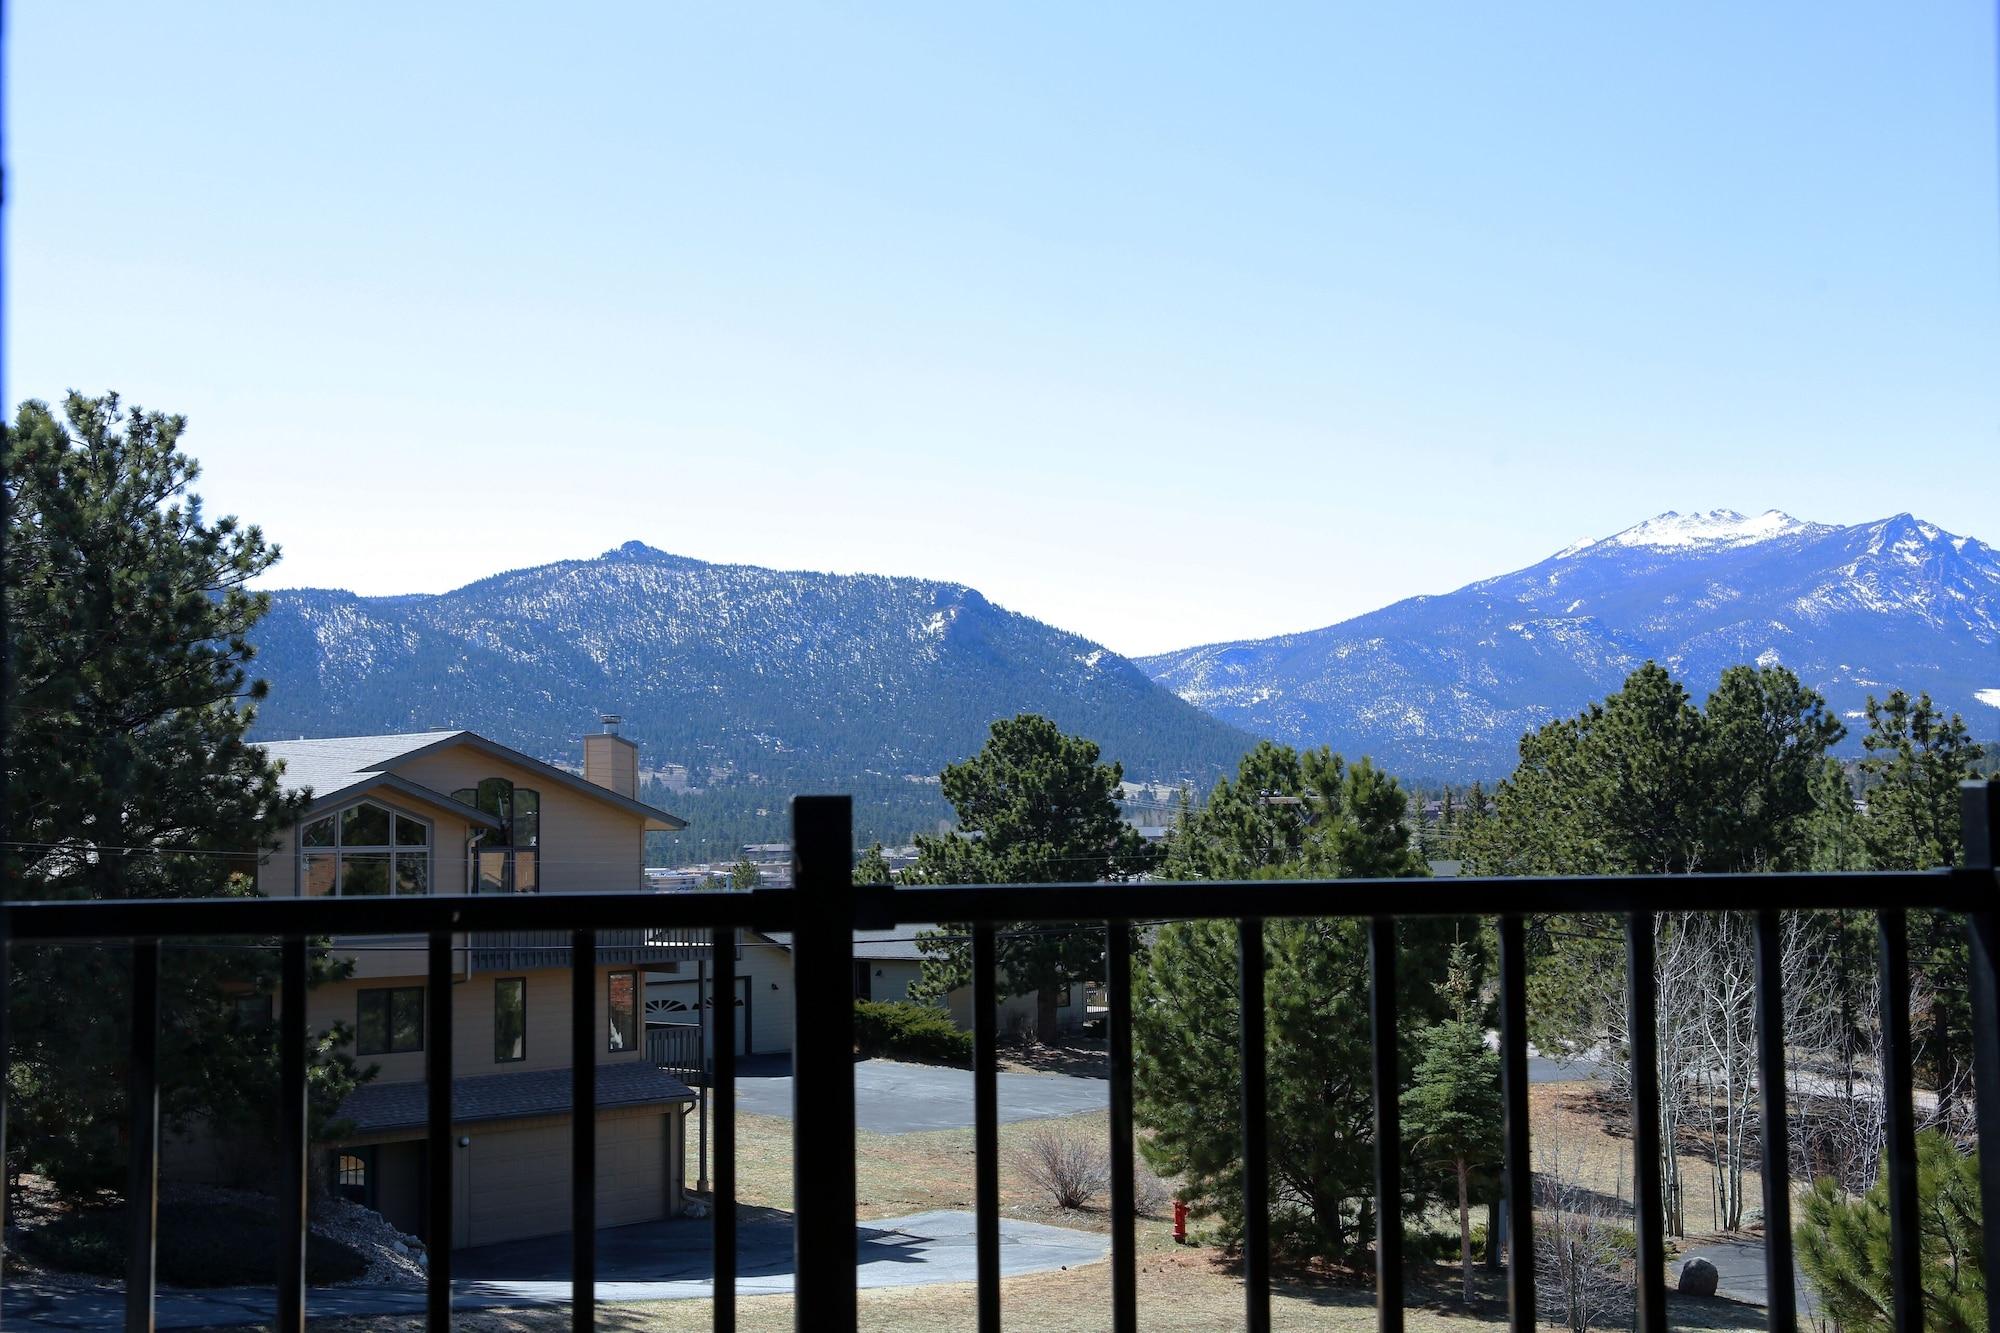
(651, 1262)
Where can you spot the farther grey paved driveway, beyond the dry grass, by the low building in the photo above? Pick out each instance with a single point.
(897, 1100)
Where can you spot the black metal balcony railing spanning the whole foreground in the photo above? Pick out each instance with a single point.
(823, 914)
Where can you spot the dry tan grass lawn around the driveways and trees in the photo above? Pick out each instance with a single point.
(1179, 1288)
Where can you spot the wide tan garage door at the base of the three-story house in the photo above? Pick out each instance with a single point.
(517, 1184)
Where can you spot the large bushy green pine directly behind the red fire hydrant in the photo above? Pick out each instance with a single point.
(1285, 816)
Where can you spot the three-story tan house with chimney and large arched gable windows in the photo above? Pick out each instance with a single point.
(453, 812)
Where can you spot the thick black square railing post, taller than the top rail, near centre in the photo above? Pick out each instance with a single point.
(823, 1066)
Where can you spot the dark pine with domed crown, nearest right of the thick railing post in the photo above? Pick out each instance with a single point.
(1035, 808)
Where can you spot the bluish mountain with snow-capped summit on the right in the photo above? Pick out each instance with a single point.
(1445, 684)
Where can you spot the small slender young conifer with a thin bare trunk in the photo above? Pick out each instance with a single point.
(1451, 1114)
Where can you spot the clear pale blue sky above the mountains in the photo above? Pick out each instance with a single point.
(1165, 325)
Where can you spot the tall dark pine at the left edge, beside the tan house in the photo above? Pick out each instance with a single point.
(129, 778)
